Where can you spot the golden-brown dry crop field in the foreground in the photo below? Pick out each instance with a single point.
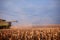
(30, 34)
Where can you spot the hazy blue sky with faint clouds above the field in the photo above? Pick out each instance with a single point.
(31, 11)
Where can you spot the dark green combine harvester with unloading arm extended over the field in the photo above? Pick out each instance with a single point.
(5, 24)
